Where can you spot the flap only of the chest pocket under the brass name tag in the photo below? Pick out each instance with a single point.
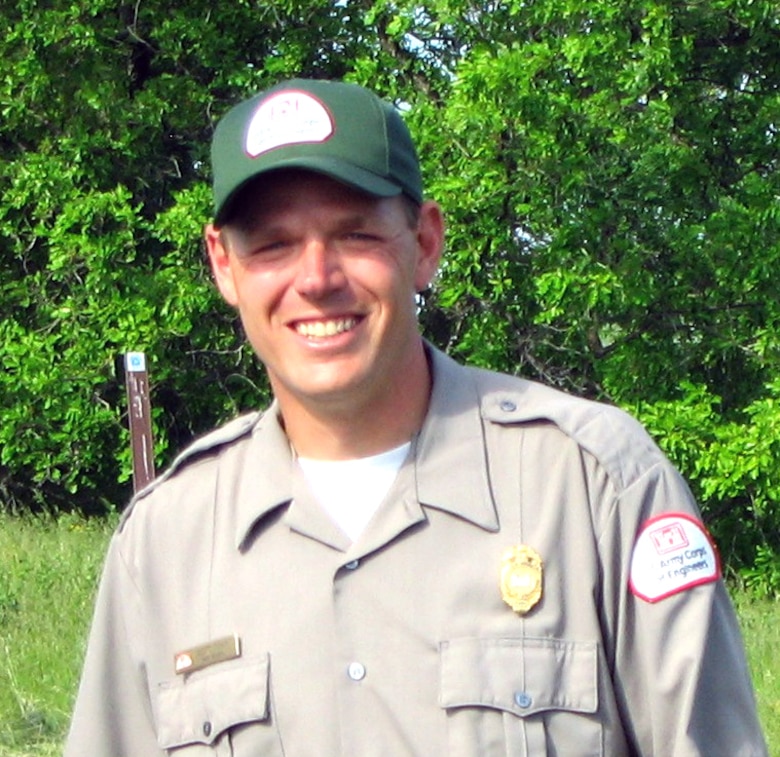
(197, 709)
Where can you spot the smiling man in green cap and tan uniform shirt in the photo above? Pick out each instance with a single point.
(401, 556)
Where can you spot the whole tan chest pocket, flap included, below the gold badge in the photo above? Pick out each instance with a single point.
(529, 697)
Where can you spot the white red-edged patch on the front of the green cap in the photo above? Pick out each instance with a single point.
(287, 118)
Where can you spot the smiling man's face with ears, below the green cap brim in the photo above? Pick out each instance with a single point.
(324, 279)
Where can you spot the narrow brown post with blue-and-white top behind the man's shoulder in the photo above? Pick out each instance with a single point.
(140, 419)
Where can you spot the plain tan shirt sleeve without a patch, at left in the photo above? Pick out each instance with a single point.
(112, 715)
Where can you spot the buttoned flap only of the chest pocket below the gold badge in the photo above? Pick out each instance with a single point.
(521, 676)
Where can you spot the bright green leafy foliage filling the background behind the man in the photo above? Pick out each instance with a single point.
(609, 171)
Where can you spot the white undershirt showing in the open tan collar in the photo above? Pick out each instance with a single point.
(351, 491)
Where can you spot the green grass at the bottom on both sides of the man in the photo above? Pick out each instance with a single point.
(48, 573)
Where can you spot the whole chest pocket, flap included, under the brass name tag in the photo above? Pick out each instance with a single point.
(216, 710)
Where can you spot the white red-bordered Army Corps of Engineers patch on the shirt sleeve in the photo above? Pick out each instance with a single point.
(673, 552)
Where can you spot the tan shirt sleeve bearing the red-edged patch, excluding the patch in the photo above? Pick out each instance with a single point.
(680, 673)
